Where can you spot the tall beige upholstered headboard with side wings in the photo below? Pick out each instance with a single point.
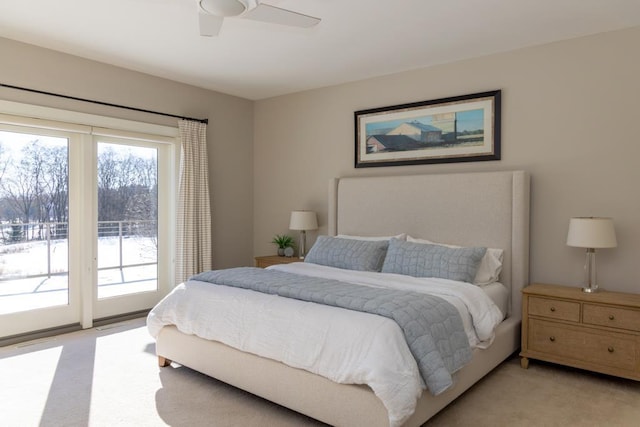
(469, 209)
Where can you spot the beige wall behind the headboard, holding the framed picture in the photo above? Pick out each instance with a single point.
(569, 113)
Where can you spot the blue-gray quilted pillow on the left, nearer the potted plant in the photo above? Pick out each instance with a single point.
(350, 254)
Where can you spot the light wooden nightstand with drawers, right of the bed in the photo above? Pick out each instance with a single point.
(595, 331)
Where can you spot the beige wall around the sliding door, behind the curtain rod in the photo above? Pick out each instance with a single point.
(229, 133)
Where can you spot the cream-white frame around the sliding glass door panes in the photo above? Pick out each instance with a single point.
(83, 130)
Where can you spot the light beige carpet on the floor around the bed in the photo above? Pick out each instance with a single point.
(109, 377)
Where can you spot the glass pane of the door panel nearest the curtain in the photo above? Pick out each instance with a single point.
(127, 219)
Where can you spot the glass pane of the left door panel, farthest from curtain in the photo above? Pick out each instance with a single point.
(33, 221)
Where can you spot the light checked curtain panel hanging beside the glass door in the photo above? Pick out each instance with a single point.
(193, 246)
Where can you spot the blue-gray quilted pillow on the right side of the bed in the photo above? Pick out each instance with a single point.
(423, 260)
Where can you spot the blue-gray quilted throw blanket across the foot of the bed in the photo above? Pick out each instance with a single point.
(432, 326)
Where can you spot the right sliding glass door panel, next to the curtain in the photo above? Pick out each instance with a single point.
(131, 230)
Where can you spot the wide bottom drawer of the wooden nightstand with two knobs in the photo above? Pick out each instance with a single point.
(579, 344)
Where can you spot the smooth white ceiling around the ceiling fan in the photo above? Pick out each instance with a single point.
(356, 39)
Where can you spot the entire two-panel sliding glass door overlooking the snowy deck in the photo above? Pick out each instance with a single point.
(85, 226)
